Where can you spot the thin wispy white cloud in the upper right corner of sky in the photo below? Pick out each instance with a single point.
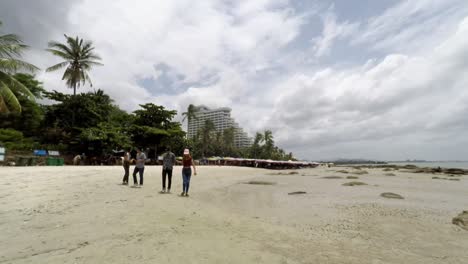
(412, 26)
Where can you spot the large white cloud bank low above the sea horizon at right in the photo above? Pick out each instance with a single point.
(402, 97)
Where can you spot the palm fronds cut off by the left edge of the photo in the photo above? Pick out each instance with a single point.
(11, 48)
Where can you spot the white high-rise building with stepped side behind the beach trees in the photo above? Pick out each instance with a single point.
(221, 118)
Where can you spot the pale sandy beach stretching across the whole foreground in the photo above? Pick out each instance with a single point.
(83, 215)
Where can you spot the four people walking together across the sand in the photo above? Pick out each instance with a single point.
(169, 160)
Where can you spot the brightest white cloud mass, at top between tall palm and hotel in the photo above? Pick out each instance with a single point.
(195, 39)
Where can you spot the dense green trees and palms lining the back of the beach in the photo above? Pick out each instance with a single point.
(90, 122)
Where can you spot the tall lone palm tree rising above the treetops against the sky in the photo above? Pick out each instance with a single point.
(79, 58)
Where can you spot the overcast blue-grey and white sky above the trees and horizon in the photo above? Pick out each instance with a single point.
(384, 79)
